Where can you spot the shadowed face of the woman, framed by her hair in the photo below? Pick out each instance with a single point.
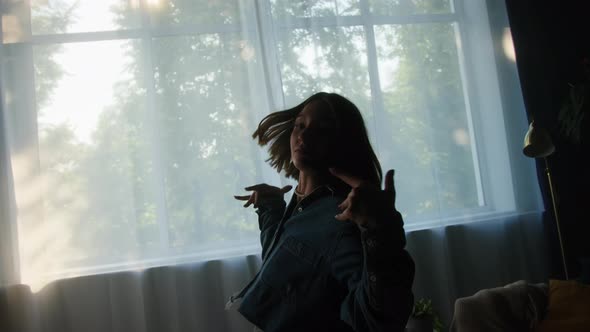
(314, 137)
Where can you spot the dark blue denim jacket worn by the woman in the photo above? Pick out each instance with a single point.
(322, 274)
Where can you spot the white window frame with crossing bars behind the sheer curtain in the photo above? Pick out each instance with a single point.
(494, 198)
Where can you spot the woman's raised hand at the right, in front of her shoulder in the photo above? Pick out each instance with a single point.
(366, 203)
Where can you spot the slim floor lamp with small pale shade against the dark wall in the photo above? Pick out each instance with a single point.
(538, 144)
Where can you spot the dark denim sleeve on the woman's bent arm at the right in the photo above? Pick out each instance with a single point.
(378, 274)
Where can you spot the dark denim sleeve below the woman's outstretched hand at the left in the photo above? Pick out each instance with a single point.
(269, 216)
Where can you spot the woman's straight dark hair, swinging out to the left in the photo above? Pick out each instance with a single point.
(353, 153)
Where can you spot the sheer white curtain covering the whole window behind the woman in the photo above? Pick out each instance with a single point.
(126, 131)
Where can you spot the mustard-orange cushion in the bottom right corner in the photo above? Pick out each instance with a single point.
(568, 308)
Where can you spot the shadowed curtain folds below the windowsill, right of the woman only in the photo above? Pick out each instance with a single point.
(457, 261)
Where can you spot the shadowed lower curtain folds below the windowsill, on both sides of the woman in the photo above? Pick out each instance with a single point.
(451, 262)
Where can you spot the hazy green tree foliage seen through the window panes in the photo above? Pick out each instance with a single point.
(167, 155)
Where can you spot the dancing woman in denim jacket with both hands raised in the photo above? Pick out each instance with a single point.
(333, 258)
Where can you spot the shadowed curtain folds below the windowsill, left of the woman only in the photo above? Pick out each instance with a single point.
(188, 297)
